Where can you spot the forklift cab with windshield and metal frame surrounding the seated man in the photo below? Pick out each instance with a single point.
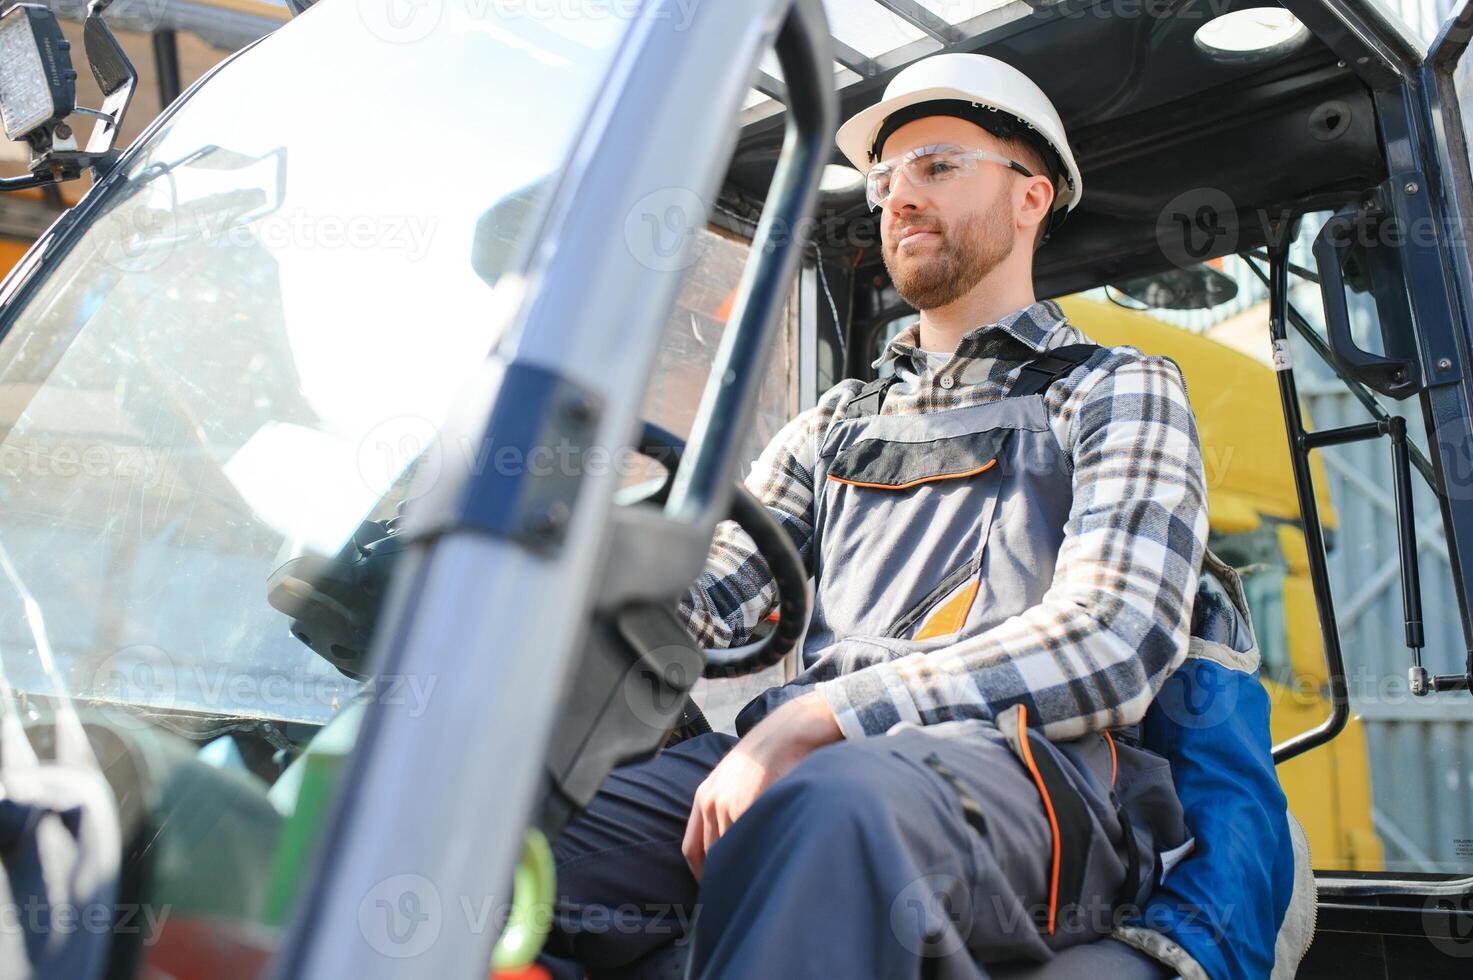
(323, 484)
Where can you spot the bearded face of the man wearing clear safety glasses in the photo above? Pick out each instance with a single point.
(942, 239)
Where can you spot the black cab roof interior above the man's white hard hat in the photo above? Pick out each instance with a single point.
(1159, 125)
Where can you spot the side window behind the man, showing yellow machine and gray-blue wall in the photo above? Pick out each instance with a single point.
(1393, 791)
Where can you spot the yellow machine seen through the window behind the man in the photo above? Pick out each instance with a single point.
(1256, 525)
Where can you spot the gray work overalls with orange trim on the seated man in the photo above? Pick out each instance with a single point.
(955, 851)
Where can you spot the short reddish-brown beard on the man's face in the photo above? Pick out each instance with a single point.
(961, 259)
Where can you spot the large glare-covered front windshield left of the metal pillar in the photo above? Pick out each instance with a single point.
(245, 356)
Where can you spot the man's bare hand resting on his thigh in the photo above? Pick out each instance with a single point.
(780, 742)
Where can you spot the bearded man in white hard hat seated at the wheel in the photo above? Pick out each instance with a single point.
(1007, 539)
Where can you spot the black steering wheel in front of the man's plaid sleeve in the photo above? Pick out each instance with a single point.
(774, 546)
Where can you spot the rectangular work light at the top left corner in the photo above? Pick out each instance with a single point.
(38, 83)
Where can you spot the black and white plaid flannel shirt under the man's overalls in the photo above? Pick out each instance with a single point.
(1114, 624)
